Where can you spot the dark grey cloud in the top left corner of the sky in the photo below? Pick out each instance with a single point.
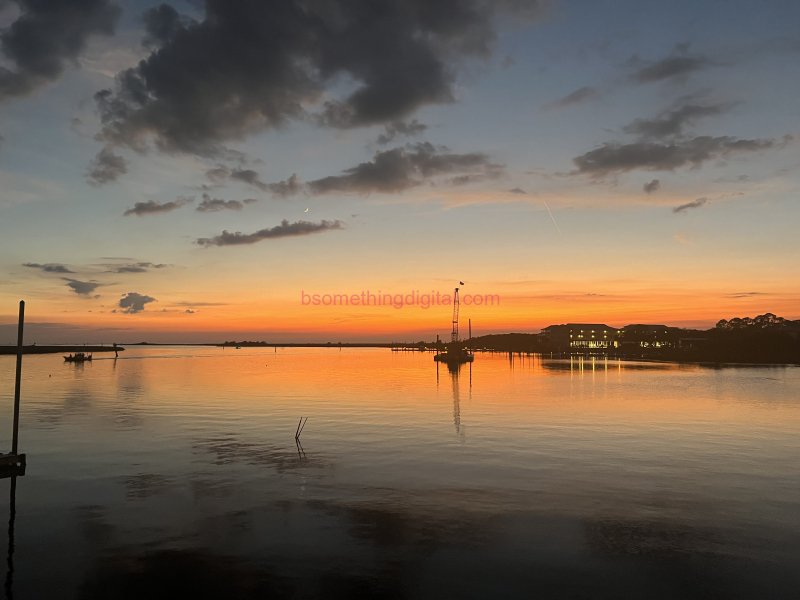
(46, 36)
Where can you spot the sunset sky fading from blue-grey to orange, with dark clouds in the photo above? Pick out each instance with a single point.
(203, 171)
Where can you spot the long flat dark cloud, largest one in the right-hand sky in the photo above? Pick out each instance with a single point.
(613, 158)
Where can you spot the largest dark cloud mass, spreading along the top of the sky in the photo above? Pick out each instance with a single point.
(248, 66)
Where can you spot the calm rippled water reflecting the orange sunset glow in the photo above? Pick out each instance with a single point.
(173, 472)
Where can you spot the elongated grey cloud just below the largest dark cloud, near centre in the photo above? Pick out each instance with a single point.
(403, 168)
